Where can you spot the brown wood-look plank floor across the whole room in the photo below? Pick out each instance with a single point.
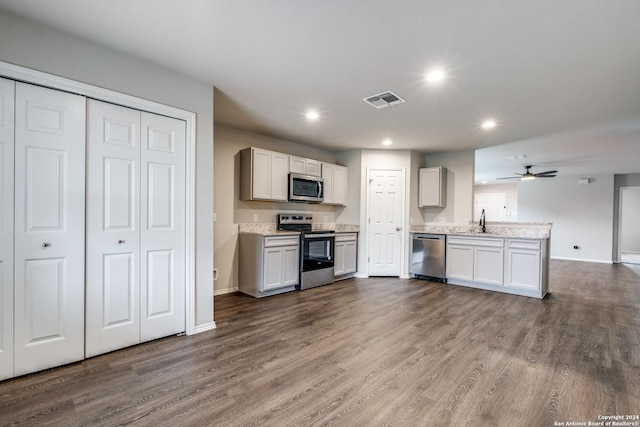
(369, 352)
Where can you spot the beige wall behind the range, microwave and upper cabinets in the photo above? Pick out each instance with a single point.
(231, 211)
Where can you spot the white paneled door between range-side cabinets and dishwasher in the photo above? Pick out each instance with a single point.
(386, 221)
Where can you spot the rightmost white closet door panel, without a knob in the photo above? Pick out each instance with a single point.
(163, 227)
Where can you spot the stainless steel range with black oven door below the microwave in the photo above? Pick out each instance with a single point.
(316, 250)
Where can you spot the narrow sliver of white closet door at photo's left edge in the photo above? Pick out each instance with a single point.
(6, 227)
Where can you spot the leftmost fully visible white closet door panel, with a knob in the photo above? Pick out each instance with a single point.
(49, 228)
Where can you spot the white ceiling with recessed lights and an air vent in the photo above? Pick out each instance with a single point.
(560, 77)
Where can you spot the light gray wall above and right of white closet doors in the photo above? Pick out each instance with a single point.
(28, 44)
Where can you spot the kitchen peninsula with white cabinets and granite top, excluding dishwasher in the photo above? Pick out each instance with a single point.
(508, 257)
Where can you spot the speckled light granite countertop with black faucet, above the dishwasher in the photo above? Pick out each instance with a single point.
(505, 229)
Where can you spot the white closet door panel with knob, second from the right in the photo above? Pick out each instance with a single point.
(113, 228)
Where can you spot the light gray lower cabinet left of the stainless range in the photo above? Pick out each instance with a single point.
(269, 265)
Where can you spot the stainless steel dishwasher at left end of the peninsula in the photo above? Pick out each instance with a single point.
(428, 256)
